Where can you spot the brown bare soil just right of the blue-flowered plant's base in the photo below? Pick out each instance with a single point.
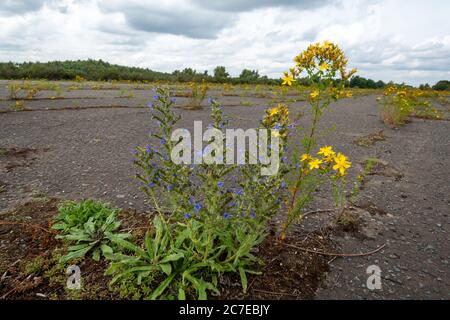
(288, 273)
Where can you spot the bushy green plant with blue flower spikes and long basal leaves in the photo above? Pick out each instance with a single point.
(208, 220)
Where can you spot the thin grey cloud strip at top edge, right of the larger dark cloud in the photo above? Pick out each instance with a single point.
(248, 5)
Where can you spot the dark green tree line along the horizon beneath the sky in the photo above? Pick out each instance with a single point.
(98, 70)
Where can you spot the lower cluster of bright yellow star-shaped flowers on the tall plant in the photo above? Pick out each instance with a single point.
(329, 159)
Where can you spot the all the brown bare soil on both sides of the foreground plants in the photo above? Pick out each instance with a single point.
(29, 255)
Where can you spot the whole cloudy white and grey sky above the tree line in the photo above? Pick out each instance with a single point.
(385, 39)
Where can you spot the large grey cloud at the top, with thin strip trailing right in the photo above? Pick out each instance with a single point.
(199, 19)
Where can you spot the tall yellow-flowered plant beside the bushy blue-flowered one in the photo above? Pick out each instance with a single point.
(325, 67)
